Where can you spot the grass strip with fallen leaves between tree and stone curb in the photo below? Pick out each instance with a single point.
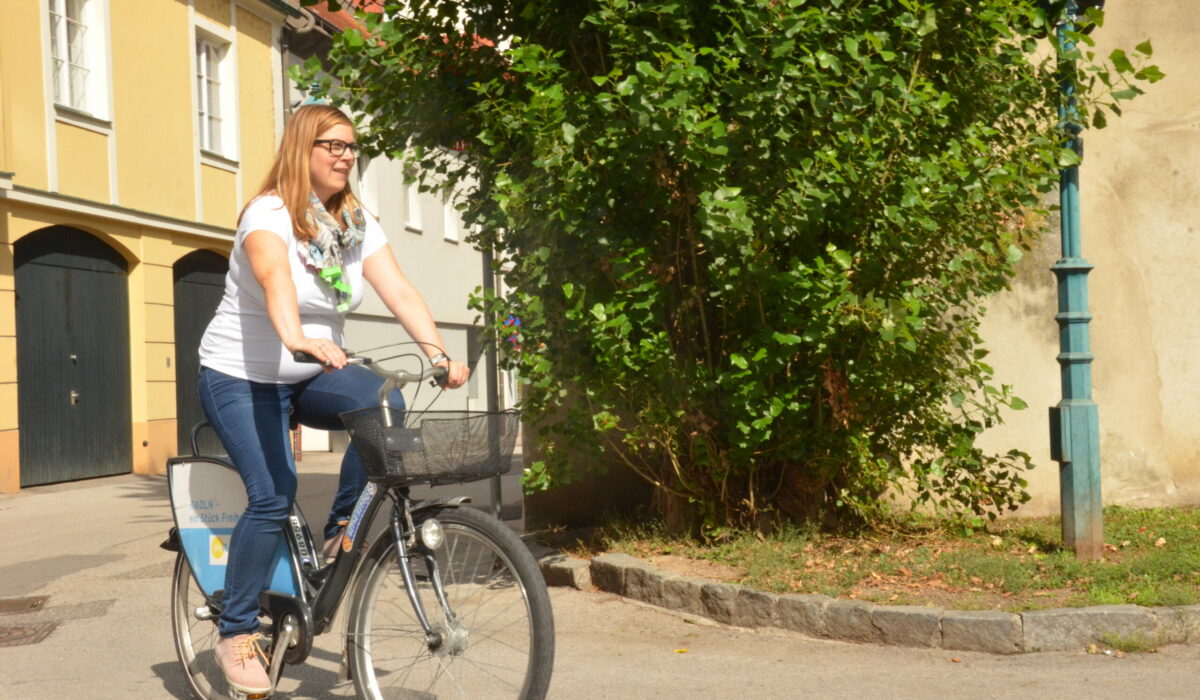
(1153, 558)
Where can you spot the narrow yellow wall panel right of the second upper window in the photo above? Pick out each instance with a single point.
(256, 81)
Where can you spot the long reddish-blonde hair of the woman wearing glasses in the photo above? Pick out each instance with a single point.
(290, 178)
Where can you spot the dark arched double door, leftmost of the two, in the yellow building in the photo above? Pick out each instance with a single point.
(73, 357)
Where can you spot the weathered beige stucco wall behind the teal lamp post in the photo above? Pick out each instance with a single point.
(1139, 192)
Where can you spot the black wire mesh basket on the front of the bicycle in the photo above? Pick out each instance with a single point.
(435, 447)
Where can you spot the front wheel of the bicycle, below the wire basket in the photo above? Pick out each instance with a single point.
(495, 638)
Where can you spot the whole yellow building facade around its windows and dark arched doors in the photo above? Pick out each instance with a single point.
(157, 171)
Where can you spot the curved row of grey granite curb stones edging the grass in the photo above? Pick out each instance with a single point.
(820, 617)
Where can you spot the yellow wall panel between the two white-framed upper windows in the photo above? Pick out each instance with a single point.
(153, 115)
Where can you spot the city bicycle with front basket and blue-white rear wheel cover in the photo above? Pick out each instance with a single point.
(445, 602)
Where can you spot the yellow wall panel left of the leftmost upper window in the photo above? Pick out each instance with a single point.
(22, 95)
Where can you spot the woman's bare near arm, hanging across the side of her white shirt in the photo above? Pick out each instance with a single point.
(269, 262)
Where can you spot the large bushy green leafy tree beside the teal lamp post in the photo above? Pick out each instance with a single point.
(749, 241)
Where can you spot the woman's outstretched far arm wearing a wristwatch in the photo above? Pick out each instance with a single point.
(383, 273)
